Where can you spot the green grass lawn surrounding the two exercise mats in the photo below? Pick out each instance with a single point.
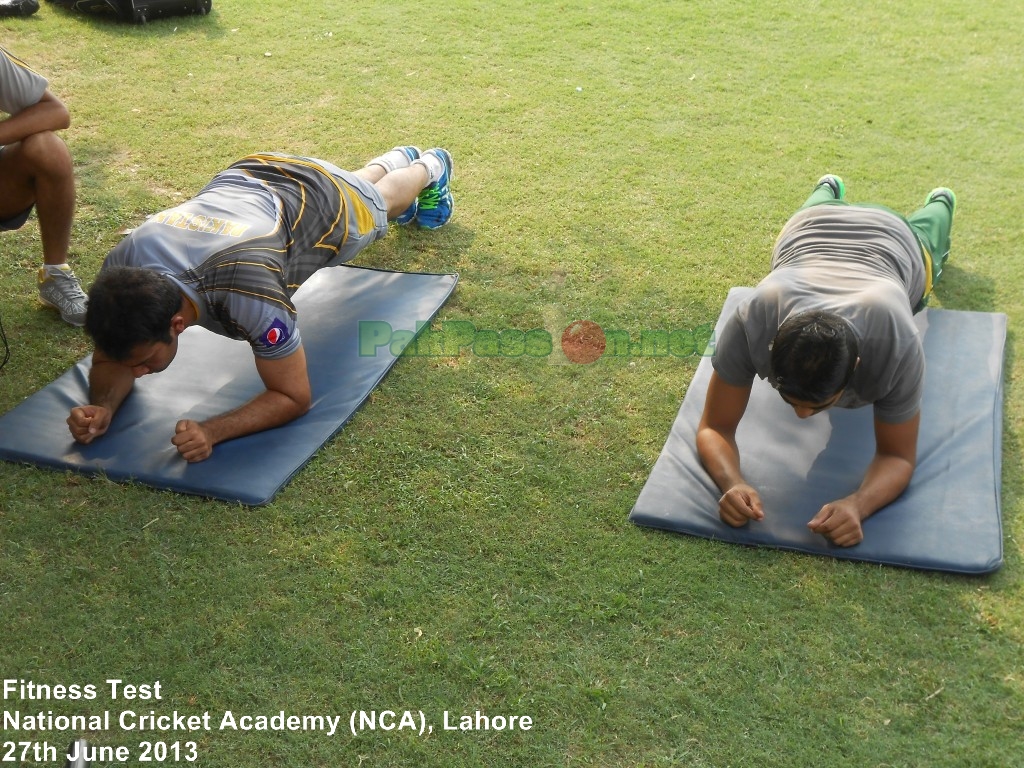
(463, 544)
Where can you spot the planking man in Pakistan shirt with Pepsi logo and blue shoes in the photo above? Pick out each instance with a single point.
(230, 261)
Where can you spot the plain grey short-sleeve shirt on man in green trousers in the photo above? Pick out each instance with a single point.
(863, 264)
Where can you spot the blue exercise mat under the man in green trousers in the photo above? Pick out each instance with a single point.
(948, 520)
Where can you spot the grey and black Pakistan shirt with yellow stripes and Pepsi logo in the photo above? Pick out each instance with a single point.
(243, 246)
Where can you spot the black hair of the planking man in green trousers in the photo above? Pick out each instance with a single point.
(814, 357)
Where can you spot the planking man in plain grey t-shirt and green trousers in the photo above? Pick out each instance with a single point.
(833, 326)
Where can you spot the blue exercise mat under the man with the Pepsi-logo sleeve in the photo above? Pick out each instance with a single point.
(212, 374)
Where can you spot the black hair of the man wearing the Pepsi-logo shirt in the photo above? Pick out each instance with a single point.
(130, 307)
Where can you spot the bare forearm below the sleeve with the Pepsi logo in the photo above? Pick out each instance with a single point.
(288, 397)
